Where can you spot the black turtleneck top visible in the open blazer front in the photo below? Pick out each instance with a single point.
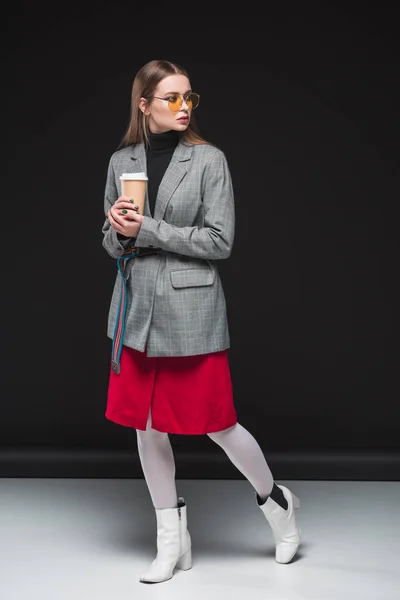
(159, 153)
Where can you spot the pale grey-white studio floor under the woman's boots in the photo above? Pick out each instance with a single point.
(77, 539)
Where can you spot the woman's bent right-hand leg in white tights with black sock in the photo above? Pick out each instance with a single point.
(245, 453)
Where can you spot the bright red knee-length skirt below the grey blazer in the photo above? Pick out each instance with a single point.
(190, 395)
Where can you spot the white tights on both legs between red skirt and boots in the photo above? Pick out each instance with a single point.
(158, 462)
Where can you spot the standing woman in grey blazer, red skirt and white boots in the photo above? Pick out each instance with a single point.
(169, 370)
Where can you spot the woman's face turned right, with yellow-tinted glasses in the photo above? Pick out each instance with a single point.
(160, 117)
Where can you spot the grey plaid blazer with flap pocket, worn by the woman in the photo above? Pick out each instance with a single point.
(175, 301)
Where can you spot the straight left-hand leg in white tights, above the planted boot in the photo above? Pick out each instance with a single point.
(158, 466)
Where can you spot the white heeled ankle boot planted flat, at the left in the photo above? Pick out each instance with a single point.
(173, 544)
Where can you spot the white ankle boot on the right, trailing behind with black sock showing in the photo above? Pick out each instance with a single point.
(285, 530)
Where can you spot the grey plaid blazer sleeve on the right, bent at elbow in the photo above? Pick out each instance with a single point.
(214, 239)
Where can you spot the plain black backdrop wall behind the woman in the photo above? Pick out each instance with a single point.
(304, 101)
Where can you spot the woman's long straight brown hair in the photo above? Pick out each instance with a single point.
(144, 85)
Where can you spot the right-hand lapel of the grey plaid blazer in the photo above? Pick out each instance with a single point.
(174, 174)
